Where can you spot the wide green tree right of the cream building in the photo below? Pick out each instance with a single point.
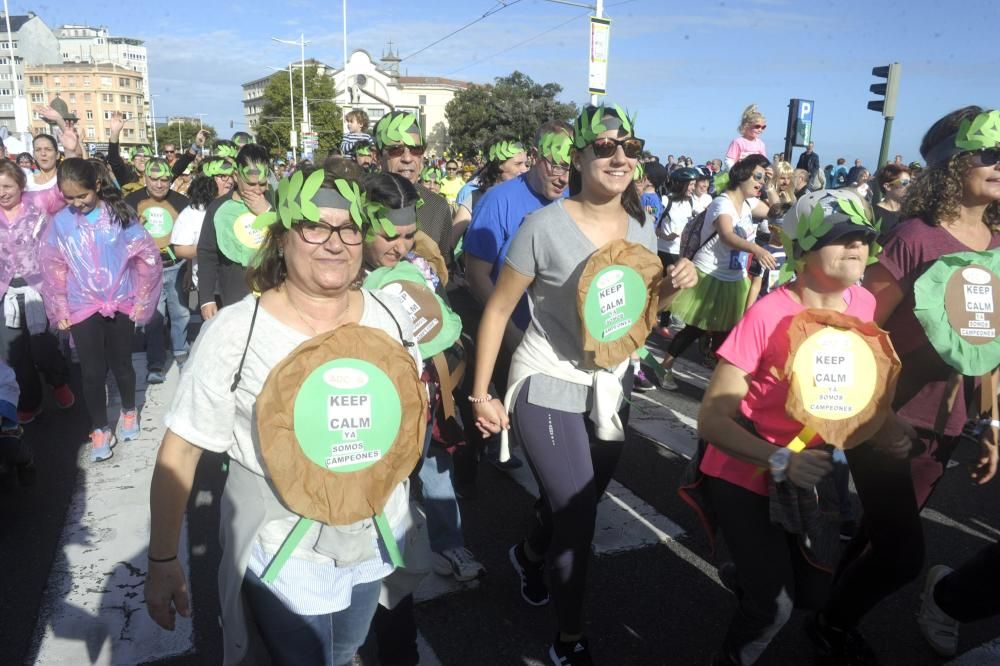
(512, 106)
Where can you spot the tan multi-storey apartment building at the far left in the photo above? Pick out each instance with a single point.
(92, 92)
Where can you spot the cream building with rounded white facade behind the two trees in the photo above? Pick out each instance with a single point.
(376, 89)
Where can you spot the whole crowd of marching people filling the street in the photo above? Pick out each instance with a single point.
(277, 259)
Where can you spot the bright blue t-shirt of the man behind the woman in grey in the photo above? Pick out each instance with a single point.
(498, 216)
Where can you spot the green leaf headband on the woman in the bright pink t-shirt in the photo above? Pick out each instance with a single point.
(811, 228)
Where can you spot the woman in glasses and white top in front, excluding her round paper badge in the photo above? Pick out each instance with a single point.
(319, 607)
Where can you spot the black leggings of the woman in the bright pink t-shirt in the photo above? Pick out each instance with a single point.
(774, 576)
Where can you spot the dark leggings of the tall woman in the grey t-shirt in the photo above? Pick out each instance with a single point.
(573, 469)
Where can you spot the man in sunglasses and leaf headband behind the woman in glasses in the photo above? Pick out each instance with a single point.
(400, 143)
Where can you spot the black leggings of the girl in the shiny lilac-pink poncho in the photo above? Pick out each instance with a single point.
(102, 343)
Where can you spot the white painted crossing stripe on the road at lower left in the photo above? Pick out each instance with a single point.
(93, 611)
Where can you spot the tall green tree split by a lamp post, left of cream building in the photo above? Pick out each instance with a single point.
(325, 116)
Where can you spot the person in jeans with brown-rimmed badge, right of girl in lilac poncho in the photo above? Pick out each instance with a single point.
(158, 207)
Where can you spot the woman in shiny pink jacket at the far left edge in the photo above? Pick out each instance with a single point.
(26, 342)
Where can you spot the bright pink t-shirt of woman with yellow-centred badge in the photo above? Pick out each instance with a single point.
(758, 344)
